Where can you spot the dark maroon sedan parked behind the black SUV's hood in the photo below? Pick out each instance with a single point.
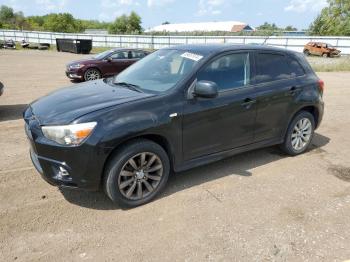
(105, 64)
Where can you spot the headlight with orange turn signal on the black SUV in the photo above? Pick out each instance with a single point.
(70, 134)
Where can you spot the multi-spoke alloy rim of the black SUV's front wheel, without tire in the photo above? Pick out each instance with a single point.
(140, 176)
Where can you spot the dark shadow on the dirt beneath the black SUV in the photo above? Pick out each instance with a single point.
(238, 165)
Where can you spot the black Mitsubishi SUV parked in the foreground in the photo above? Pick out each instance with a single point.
(177, 108)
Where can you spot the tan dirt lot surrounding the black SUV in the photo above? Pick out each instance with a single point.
(257, 206)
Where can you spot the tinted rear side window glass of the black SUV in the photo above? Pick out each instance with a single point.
(273, 67)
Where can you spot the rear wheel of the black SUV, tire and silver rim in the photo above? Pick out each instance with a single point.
(289, 146)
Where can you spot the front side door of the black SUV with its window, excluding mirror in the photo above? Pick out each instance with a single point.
(212, 125)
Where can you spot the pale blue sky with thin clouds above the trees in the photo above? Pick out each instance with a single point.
(299, 13)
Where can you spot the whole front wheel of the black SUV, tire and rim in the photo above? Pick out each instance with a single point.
(121, 178)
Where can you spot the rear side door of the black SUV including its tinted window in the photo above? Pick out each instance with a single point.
(277, 85)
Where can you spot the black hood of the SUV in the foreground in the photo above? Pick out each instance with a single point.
(65, 105)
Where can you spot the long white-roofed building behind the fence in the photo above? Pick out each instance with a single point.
(229, 26)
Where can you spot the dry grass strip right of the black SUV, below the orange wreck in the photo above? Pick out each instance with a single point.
(337, 64)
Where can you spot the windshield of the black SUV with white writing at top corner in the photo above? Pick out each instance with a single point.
(159, 71)
